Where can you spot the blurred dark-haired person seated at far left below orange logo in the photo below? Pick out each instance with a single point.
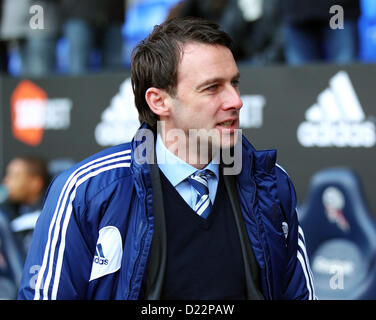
(26, 181)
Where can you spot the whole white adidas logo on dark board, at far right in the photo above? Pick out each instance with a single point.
(337, 118)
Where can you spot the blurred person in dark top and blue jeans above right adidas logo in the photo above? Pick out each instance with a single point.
(309, 36)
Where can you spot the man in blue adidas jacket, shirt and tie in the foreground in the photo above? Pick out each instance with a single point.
(188, 209)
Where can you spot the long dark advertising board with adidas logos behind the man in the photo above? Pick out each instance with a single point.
(316, 116)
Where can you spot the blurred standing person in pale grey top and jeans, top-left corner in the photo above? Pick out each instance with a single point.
(30, 42)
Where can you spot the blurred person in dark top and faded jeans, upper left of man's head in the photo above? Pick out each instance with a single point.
(89, 25)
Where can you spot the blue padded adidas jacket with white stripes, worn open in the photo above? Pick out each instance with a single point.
(93, 237)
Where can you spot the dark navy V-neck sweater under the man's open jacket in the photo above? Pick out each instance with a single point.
(204, 259)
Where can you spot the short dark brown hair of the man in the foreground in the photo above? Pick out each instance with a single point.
(155, 60)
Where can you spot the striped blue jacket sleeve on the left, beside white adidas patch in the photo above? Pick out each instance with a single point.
(59, 258)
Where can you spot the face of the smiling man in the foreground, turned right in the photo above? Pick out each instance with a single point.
(207, 95)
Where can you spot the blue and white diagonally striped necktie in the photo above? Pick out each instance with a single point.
(199, 180)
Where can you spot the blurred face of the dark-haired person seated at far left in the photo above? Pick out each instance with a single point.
(18, 181)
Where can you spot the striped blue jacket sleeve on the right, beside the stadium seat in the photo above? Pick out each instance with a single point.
(299, 280)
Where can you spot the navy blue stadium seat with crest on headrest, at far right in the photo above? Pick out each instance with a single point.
(340, 236)
